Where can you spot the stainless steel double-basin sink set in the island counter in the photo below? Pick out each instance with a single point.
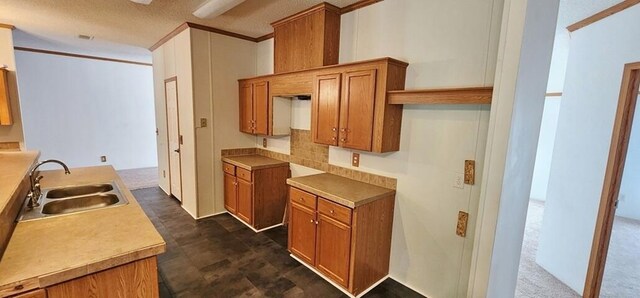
(71, 199)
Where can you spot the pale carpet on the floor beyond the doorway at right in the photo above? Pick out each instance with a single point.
(622, 277)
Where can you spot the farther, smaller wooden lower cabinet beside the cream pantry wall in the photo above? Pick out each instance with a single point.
(257, 197)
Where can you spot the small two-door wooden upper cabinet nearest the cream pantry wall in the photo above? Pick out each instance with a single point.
(254, 107)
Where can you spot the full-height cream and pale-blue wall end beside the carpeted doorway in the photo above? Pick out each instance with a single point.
(524, 57)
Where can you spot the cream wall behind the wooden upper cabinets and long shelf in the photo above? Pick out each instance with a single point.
(446, 44)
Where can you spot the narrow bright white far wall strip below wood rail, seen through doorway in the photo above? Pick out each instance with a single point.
(544, 152)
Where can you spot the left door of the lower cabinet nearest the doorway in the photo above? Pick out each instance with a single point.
(302, 232)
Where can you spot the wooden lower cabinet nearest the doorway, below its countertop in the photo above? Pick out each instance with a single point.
(351, 247)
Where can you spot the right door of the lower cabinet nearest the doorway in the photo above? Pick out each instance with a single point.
(333, 249)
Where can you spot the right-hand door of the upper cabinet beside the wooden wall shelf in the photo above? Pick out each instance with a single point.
(356, 110)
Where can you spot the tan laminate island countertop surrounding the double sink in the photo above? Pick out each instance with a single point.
(51, 250)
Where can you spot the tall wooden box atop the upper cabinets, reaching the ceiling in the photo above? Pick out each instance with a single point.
(308, 39)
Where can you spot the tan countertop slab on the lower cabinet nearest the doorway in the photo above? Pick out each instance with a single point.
(345, 191)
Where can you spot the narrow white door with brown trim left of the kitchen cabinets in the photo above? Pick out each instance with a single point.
(173, 131)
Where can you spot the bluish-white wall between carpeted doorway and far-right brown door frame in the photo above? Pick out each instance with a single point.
(592, 86)
